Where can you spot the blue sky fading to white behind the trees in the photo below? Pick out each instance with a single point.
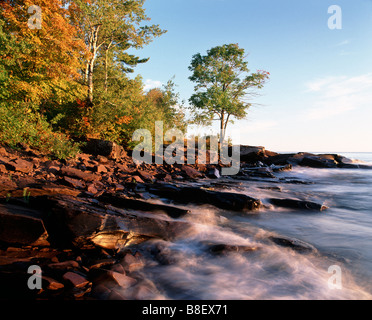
(319, 96)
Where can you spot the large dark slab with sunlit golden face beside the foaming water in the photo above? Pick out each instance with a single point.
(83, 224)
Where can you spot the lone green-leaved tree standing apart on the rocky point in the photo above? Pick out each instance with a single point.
(223, 85)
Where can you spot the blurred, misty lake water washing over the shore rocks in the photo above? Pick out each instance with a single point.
(342, 236)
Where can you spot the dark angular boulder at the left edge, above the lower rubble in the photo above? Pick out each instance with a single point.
(22, 226)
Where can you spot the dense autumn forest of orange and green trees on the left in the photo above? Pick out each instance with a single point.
(66, 74)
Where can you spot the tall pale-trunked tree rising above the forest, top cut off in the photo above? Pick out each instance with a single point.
(112, 26)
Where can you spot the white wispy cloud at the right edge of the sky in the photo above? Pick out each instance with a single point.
(338, 95)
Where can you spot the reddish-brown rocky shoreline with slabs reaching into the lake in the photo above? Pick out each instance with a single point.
(85, 221)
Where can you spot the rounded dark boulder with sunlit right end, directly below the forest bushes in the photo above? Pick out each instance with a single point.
(108, 149)
